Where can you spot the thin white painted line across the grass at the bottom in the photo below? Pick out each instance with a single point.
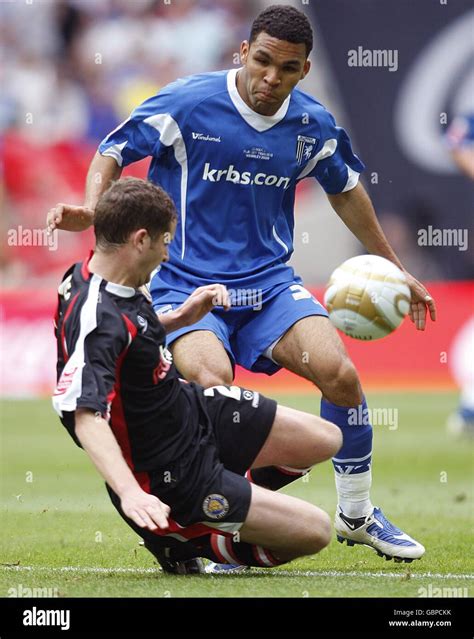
(282, 573)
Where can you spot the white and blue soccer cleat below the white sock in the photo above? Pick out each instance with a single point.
(377, 532)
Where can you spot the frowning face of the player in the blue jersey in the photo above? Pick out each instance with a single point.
(272, 69)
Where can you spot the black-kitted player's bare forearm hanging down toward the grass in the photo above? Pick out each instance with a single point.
(97, 439)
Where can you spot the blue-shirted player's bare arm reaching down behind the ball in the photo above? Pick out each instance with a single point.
(357, 212)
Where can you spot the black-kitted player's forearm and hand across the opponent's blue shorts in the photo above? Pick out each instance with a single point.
(199, 303)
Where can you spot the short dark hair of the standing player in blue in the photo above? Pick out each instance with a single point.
(285, 23)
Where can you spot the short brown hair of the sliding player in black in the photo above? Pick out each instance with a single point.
(129, 205)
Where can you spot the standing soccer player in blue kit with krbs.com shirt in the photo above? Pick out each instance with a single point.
(230, 148)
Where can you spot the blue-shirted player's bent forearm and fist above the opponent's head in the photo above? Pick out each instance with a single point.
(67, 217)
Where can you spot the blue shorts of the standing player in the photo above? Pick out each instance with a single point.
(253, 326)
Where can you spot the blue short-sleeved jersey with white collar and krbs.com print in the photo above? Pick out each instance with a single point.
(232, 174)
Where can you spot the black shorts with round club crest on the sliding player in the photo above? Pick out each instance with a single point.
(206, 487)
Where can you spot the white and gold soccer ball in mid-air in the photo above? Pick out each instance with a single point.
(367, 297)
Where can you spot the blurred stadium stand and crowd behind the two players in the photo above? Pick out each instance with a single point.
(74, 69)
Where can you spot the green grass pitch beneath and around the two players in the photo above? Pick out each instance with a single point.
(60, 532)
